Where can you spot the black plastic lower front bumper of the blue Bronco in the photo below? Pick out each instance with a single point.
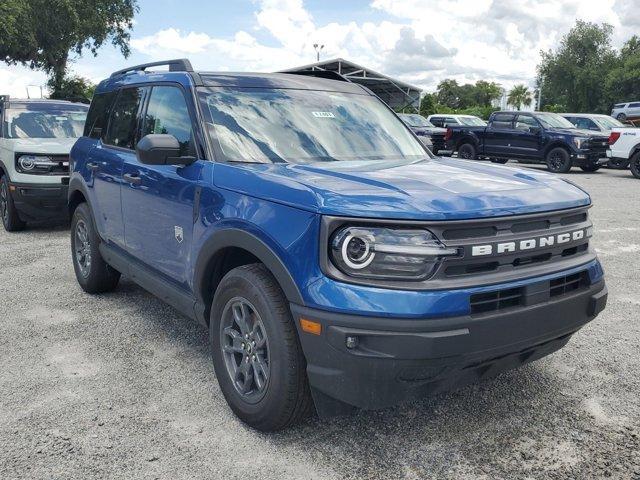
(400, 359)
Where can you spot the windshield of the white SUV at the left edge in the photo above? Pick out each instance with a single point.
(45, 121)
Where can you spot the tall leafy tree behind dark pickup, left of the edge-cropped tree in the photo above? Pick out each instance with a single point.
(573, 74)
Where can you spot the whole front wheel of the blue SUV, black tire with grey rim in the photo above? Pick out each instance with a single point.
(251, 292)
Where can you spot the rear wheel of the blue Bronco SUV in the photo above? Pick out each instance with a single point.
(93, 274)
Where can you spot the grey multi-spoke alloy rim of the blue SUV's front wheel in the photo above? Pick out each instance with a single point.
(245, 349)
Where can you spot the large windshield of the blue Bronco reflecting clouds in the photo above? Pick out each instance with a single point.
(303, 126)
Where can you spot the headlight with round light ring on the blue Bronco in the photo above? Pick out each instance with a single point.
(387, 253)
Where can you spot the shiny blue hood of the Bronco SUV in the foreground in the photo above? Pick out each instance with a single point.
(429, 189)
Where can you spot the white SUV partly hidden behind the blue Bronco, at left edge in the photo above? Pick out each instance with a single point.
(35, 139)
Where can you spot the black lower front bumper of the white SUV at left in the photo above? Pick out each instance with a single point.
(40, 202)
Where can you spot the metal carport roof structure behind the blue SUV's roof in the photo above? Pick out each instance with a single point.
(395, 93)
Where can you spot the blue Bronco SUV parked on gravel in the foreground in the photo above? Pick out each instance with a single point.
(336, 263)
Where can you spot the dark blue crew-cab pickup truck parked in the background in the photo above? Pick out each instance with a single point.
(539, 137)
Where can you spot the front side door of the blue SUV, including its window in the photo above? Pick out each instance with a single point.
(158, 200)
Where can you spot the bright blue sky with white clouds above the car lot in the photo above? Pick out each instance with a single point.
(418, 41)
